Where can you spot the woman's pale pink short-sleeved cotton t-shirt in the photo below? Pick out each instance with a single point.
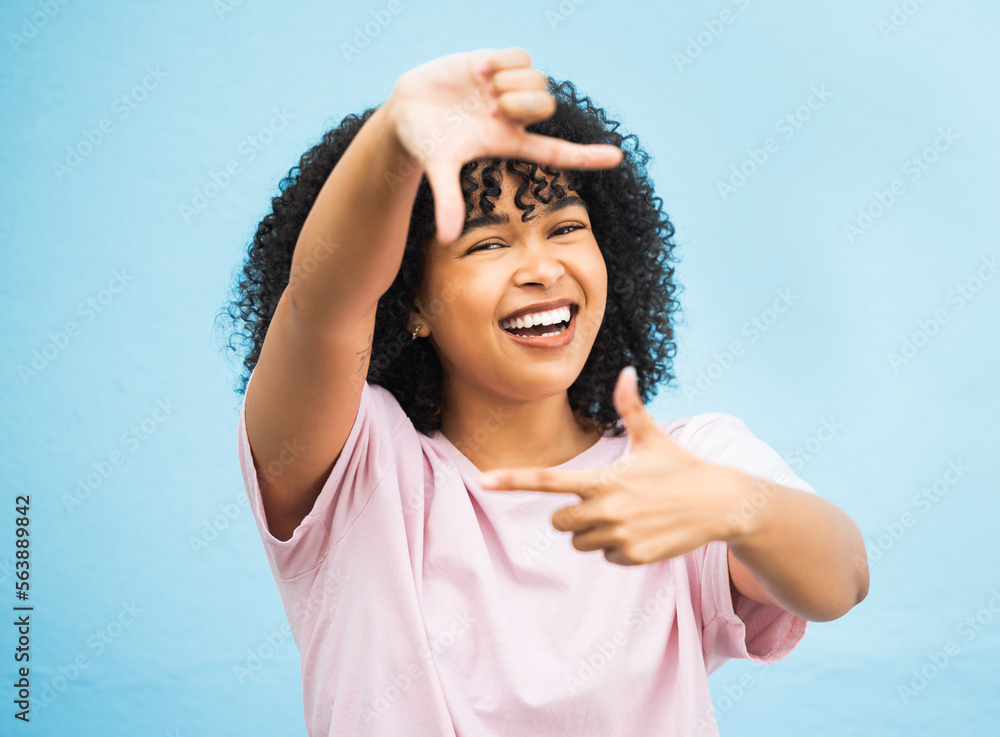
(424, 605)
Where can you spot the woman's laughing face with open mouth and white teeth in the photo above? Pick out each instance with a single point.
(501, 270)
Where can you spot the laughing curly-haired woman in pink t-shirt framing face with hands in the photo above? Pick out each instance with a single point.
(507, 303)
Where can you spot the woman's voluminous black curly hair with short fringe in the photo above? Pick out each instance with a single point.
(627, 219)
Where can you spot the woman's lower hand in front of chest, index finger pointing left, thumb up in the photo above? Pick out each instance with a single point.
(656, 502)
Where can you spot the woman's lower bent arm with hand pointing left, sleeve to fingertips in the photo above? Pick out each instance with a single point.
(787, 548)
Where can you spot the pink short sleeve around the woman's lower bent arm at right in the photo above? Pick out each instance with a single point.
(744, 628)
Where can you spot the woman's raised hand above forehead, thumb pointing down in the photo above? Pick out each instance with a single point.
(472, 105)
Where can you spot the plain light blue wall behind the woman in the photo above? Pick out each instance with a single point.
(139, 630)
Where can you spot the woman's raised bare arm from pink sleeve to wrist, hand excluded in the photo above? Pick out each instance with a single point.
(307, 383)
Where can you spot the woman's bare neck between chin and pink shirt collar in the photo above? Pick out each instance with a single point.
(493, 432)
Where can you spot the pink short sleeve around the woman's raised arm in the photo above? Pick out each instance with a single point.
(363, 462)
